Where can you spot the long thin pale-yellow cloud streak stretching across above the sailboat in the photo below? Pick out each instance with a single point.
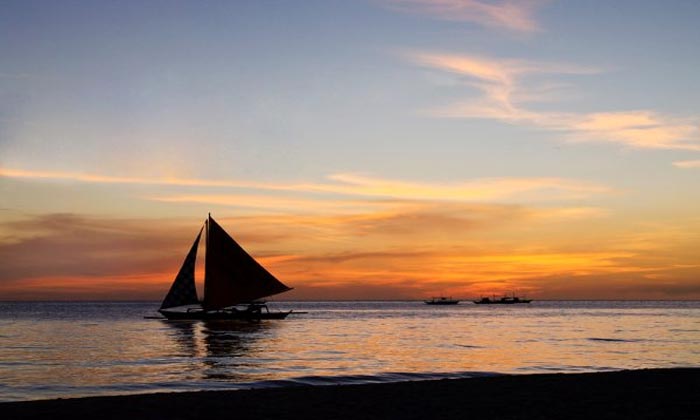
(480, 189)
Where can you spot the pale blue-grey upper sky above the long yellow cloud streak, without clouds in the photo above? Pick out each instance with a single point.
(276, 89)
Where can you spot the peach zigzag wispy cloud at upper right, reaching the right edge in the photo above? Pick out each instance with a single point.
(504, 96)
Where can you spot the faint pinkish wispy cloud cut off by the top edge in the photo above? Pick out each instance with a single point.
(517, 16)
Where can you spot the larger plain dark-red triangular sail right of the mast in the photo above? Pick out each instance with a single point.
(231, 275)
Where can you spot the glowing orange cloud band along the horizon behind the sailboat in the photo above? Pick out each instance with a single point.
(464, 250)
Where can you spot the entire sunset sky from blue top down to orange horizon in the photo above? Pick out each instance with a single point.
(378, 149)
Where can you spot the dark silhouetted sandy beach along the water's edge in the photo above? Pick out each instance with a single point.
(637, 394)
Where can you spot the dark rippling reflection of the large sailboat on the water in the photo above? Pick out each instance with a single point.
(226, 350)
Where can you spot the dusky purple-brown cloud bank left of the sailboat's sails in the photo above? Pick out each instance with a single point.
(61, 245)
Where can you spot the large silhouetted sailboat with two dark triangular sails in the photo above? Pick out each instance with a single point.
(234, 283)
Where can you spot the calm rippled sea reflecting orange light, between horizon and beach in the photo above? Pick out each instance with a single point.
(52, 350)
